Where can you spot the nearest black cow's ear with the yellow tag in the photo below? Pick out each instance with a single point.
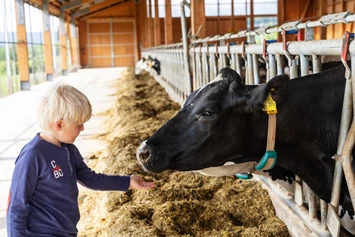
(277, 87)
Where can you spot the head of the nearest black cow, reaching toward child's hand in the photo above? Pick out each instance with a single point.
(223, 121)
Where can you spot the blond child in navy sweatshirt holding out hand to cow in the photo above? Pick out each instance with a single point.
(43, 198)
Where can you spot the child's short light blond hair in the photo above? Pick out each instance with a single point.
(63, 102)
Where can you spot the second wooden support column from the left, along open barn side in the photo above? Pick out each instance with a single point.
(48, 55)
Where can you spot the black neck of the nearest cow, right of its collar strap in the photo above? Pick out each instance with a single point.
(307, 130)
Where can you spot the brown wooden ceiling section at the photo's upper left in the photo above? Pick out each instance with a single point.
(76, 8)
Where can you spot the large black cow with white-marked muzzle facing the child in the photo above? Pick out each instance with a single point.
(224, 122)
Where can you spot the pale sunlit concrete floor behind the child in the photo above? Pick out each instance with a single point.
(18, 121)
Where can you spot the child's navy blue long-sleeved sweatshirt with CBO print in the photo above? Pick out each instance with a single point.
(44, 193)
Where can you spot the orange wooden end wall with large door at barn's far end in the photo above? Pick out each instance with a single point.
(108, 37)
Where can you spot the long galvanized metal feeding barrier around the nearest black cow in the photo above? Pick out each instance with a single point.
(187, 67)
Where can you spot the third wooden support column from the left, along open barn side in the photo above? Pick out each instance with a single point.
(63, 42)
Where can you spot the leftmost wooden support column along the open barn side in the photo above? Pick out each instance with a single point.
(22, 50)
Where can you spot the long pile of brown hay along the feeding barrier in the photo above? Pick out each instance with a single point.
(182, 203)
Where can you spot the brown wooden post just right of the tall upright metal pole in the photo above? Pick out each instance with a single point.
(198, 18)
